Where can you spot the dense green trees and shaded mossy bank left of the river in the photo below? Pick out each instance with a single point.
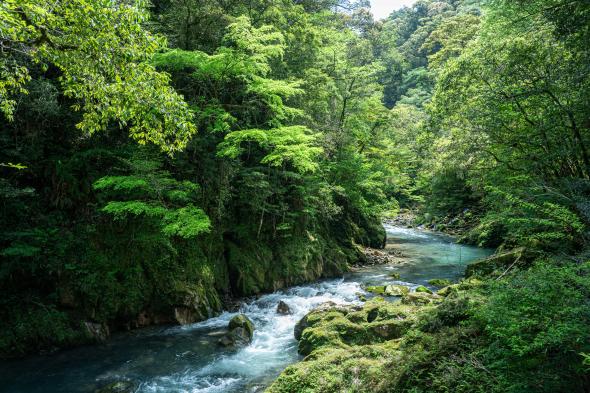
(281, 183)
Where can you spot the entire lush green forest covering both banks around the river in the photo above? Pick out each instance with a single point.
(161, 159)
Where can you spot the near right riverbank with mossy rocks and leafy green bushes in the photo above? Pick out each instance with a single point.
(483, 334)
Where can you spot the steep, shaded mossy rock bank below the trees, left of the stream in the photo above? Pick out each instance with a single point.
(198, 282)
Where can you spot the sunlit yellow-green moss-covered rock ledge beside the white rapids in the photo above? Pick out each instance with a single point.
(379, 346)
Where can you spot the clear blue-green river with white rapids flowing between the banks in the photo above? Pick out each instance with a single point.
(187, 359)
